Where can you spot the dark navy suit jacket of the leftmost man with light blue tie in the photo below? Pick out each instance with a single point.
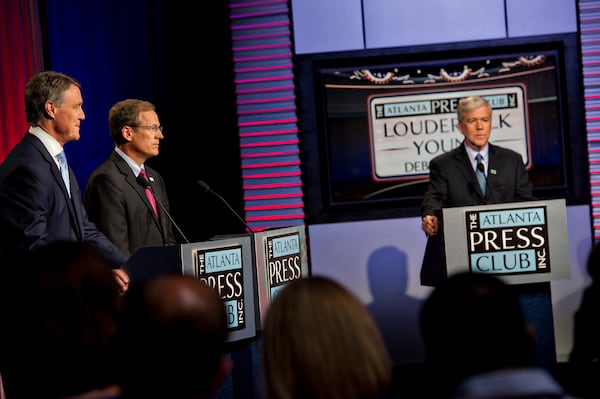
(35, 208)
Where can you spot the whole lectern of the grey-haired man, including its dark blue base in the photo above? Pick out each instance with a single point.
(523, 243)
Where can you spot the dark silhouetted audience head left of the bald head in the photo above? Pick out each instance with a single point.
(69, 323)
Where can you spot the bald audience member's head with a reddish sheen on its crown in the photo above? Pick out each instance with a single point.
(172, 334)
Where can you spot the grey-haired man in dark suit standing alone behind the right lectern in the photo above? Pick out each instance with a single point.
(453, 181)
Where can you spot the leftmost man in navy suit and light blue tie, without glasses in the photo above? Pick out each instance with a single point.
(36, 205)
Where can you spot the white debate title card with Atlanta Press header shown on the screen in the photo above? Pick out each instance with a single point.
(406, 131)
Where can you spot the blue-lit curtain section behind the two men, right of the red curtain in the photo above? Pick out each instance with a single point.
(113, 48)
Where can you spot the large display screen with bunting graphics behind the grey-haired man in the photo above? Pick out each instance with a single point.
(380, 118)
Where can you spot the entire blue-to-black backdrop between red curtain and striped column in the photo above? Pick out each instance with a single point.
(148, 49)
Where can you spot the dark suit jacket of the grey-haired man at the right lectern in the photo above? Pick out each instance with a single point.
(452, 183)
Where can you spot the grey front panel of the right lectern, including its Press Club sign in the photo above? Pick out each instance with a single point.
(521, 242)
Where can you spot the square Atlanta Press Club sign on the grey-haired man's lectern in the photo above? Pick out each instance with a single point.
(508, 241)
